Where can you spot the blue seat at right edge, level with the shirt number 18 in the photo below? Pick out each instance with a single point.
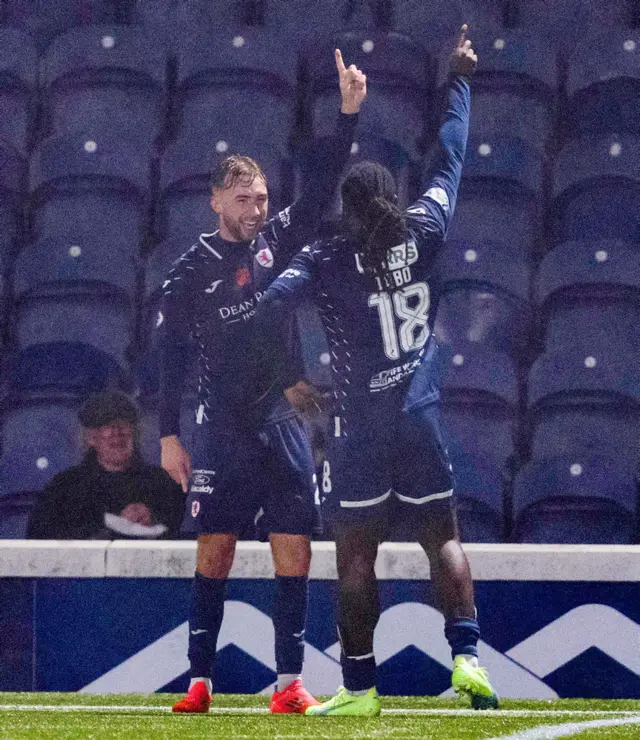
(590, 291)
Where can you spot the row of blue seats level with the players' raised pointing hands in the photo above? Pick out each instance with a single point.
(120, 75)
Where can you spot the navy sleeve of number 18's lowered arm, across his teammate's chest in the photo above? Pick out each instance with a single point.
(271, 325)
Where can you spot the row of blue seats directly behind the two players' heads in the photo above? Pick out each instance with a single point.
(96, 186)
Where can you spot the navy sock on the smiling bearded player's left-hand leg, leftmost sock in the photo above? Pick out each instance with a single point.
(205, 618)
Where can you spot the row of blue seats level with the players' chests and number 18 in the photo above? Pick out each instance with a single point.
(585, 293)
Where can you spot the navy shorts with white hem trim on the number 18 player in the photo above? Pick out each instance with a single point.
(386, 463)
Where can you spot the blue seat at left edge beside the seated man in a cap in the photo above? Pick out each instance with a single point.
(40, 438)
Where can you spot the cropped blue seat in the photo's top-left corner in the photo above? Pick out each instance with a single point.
(43, 20)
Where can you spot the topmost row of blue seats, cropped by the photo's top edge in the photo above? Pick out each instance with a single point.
(563, 21)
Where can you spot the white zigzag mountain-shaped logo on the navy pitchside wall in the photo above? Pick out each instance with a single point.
(518, 673)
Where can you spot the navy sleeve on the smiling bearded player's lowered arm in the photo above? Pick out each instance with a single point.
(175, 348)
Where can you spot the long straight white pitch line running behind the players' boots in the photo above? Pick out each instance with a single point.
(261, 710)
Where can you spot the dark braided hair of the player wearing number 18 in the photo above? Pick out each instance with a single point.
(371, 213)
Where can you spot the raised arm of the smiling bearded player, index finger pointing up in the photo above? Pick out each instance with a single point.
(298, 223)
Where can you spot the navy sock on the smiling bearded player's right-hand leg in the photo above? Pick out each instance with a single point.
(289, 620)
